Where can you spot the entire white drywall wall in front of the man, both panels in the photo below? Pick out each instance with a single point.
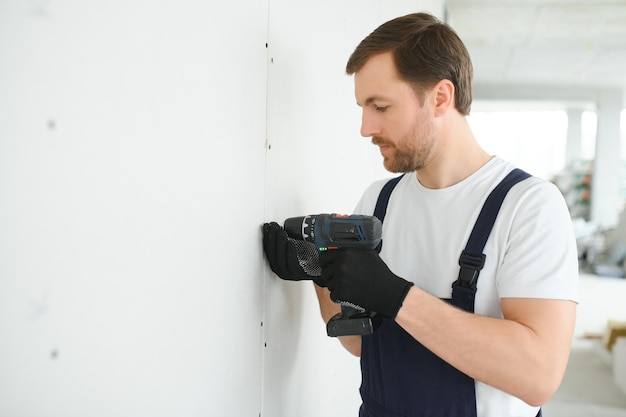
(142, 145)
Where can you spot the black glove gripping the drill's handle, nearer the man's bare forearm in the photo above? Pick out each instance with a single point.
(362, 278)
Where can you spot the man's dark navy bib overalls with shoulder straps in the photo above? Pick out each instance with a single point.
(400, 377)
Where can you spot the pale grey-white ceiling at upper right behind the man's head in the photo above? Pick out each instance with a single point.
(543, 49)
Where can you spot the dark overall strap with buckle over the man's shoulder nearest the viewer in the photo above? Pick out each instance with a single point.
(472, 259)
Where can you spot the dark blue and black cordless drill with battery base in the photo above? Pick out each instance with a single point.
(341, 232)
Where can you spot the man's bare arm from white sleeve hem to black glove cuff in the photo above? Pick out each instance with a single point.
(523, 357)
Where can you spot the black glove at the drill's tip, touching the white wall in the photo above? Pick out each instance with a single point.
(290, 259)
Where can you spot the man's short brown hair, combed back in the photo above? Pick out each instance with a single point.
(425, 51)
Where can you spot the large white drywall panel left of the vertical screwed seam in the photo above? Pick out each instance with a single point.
(131, 177)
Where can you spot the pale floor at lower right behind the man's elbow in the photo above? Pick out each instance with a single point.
(588, 388)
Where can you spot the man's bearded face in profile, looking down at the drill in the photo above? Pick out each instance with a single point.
(393, 116)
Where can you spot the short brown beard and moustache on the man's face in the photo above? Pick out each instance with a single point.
(412, 152)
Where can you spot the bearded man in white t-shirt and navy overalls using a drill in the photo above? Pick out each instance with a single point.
(431, 358)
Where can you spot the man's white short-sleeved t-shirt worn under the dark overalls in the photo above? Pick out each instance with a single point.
(530, 253)
